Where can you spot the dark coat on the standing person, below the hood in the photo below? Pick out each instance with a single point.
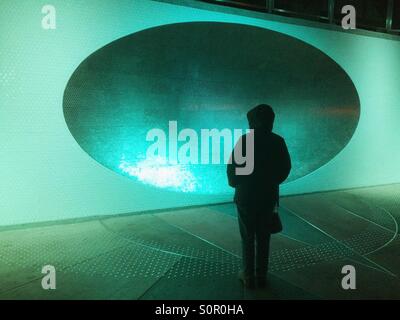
(272, 166)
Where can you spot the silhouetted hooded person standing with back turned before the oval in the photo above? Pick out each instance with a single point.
(257, 194)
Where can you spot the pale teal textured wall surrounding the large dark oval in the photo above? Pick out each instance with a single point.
(45, 174)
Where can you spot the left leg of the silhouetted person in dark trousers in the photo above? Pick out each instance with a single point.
(247, 232)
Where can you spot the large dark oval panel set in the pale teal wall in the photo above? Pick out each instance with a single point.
(206, 75)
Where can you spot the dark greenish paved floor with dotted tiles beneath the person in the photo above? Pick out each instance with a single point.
(195, 253)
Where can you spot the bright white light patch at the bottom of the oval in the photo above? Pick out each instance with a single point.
(159, 173)
